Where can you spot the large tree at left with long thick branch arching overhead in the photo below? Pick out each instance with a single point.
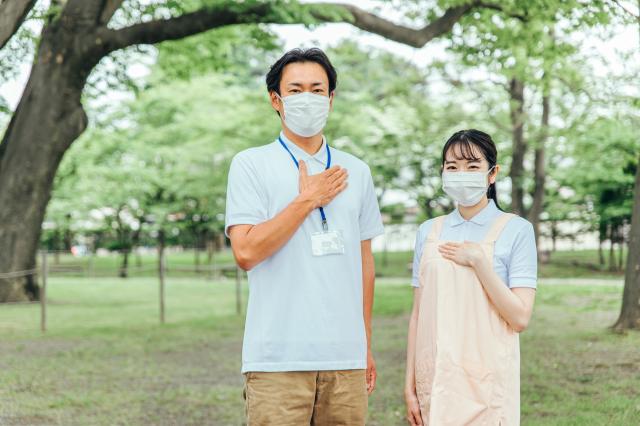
(76, 36)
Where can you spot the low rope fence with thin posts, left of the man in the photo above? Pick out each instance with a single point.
(44, 271)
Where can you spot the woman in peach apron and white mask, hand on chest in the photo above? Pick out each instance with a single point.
(475, 277)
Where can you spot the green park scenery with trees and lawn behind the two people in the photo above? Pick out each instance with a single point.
(120, 119)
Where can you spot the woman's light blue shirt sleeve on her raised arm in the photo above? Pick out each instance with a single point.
(523, 262)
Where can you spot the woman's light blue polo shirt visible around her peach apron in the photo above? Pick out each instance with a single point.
(515, 254)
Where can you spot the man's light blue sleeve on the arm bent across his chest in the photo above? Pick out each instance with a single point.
(246, 198)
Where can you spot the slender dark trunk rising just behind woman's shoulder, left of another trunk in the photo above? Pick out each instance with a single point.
(516, 94)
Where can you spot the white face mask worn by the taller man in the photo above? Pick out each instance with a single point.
(306, 113)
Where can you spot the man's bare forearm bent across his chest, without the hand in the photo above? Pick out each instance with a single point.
(264, 239)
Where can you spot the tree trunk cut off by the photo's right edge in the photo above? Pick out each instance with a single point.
(630, 312)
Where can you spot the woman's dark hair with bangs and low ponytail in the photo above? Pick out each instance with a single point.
(466, 141)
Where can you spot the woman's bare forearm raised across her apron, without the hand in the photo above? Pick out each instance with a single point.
(515, 310)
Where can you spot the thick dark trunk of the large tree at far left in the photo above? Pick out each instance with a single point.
(47, 120)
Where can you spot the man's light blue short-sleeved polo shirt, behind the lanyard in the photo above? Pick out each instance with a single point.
(304, 312)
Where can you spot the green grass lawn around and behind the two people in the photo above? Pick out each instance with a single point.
(106, 360)
